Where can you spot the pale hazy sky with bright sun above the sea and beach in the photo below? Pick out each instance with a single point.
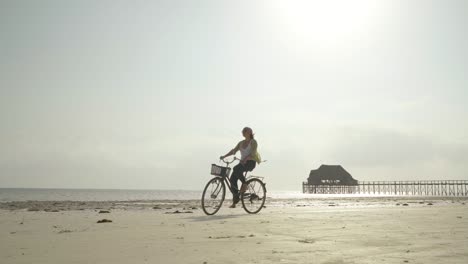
(148, 94)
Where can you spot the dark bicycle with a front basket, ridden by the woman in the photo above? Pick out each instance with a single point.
(253, 199)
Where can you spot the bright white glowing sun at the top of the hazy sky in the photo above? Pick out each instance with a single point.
(326, 21)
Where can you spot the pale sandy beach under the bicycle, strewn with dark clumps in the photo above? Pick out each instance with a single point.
(353, 230)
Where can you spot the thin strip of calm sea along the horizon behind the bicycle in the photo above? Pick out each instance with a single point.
(42, 194)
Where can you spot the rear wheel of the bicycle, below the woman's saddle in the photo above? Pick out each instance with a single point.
(254, 197)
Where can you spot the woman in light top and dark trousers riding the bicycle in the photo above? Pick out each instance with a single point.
(249, 158)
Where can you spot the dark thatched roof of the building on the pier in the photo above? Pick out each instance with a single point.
(331, 174)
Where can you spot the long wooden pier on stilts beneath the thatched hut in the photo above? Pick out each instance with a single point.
(418, 188)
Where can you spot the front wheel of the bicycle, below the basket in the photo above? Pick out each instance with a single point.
(213, 196)
